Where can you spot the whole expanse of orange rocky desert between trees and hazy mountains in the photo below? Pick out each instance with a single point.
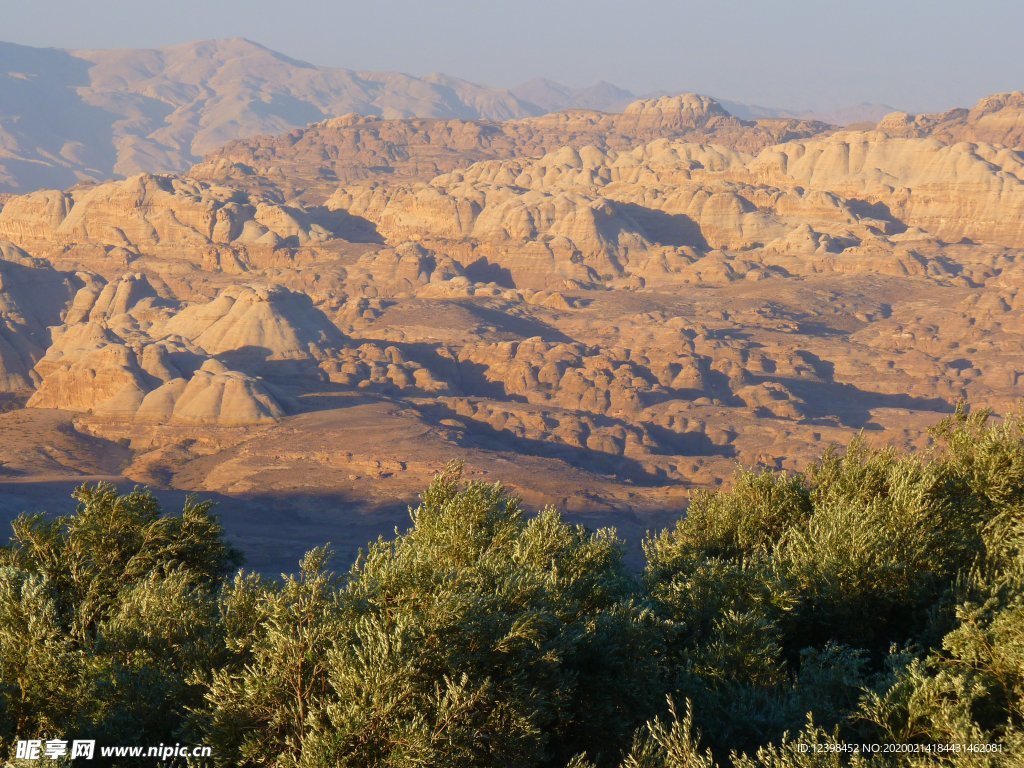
(604, 311)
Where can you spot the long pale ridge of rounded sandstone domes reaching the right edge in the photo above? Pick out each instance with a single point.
(590, 215)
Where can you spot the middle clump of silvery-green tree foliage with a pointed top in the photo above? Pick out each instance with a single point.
(477, 638)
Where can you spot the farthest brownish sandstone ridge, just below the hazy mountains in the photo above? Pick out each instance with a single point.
(313, 162)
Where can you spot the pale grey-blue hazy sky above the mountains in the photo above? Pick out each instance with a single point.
(914, 55)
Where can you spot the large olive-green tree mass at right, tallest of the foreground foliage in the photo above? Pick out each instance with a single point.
(881, 592)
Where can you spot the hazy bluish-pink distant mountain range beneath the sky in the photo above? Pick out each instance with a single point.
(69, 116)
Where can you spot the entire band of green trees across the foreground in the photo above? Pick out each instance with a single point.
(876, 599)
